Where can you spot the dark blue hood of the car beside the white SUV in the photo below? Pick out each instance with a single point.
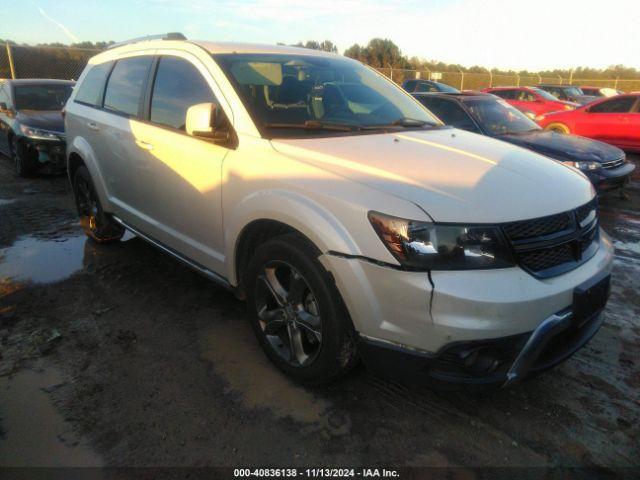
(564, 147)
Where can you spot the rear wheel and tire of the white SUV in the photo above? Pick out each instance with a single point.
(96, 223)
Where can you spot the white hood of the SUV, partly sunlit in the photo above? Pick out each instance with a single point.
(453, 175)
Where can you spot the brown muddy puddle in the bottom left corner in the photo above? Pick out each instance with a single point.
(32, 432)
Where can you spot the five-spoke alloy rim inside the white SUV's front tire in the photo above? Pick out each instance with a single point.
(288, 313)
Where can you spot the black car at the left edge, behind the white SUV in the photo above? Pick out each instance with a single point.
(31, 123)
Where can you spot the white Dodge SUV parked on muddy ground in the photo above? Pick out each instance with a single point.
(353, 222)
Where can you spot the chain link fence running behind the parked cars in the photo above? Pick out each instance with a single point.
(68, 63)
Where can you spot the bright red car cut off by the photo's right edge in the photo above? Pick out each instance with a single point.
(614, 120)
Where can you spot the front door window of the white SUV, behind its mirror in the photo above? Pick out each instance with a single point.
(178, 85)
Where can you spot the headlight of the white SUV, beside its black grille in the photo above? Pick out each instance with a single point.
(428, 246)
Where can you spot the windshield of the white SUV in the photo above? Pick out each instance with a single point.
(299, 91)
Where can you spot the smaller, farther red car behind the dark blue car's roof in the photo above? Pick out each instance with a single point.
(531, 101)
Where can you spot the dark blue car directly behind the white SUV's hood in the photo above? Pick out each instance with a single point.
(605, 165)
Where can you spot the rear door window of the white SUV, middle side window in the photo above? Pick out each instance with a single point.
(126, 82)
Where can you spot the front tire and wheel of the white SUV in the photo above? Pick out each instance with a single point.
(297, 313)
